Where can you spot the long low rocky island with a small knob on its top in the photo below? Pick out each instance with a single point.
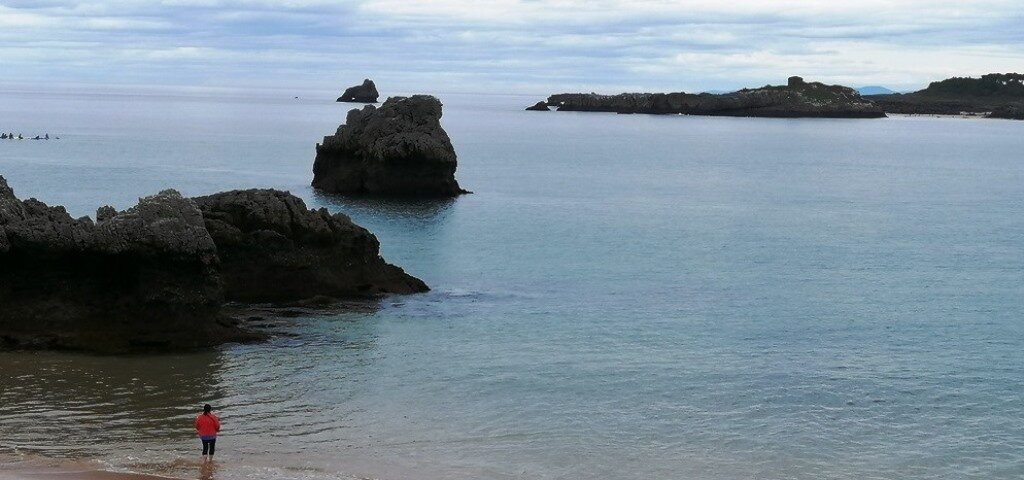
(796, 100)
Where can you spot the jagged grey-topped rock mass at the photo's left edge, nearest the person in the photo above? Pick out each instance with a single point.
(143, 279)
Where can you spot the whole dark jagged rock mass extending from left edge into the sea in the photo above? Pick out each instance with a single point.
(155, 277)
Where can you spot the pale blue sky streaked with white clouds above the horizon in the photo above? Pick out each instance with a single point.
(505, 47)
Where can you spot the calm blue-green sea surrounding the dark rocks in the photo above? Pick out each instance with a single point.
(624, 297)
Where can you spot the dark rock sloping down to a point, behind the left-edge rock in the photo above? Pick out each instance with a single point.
(274, 249)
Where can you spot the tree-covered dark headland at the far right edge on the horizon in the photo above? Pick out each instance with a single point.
(993, 96)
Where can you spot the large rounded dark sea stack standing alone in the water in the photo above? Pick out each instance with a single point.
(398, 150)
